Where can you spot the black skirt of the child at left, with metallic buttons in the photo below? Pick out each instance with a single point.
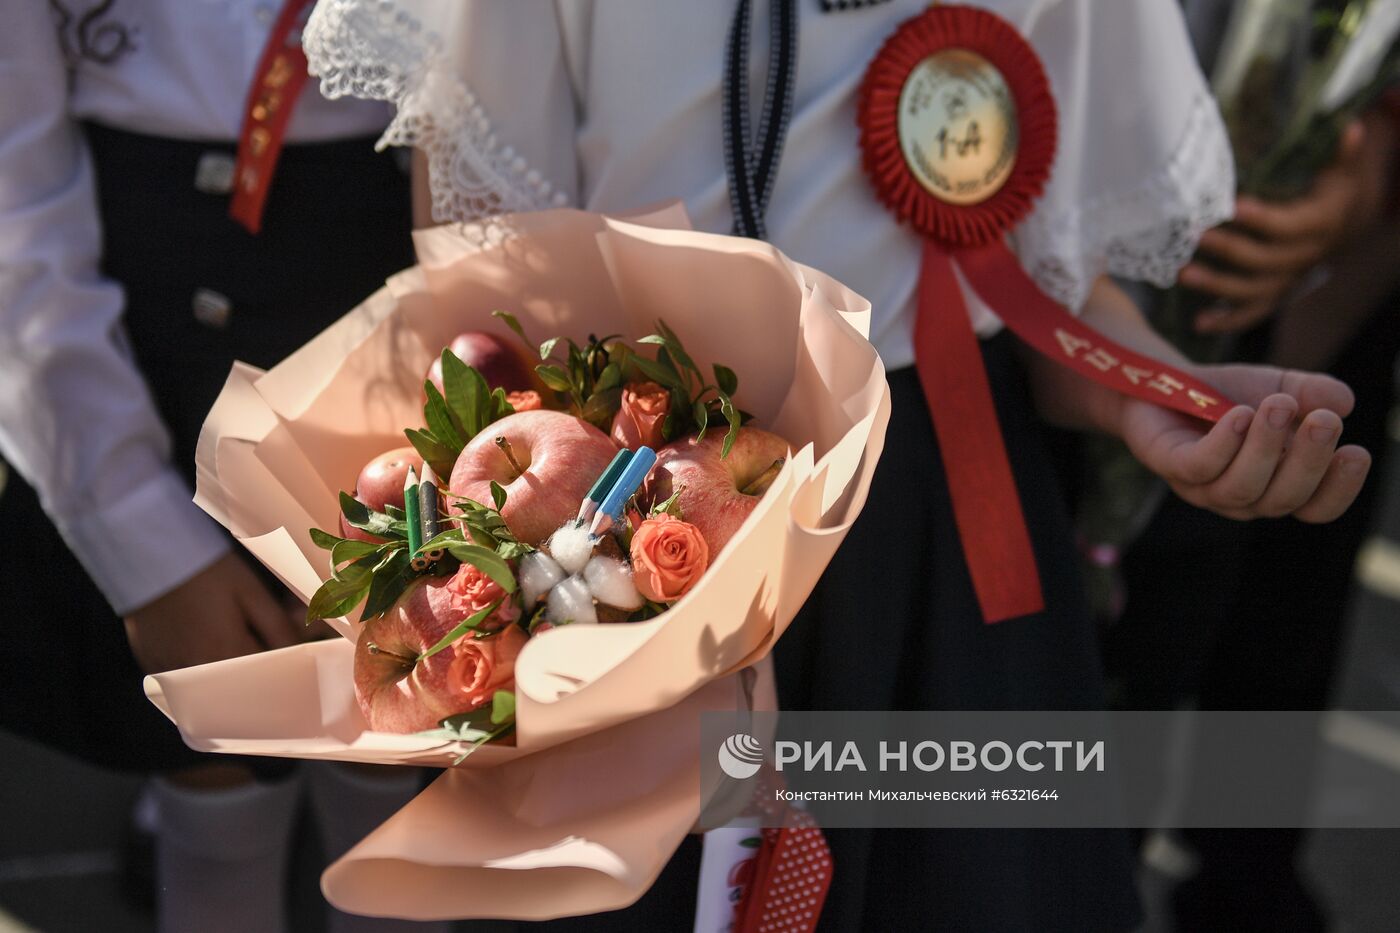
(338, 223)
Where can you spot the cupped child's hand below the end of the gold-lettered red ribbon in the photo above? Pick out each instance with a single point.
(1276, 455)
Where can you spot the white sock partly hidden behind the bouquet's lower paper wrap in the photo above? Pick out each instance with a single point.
(349, 805)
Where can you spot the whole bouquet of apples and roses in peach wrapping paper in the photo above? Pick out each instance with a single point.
(584, 544)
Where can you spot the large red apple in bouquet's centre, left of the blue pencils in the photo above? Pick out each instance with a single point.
(556, 460)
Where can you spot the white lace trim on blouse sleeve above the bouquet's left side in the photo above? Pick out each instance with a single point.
(380, 50)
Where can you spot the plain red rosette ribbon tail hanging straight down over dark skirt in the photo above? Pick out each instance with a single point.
(986, 504)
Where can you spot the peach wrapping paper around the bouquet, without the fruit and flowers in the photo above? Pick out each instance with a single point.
(542, 829)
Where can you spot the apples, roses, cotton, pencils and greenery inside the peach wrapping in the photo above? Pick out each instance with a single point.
(547, 520)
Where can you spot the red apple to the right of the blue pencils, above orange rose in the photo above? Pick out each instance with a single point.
(717, 495)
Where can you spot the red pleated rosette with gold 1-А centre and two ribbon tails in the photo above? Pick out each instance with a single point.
(967, 236)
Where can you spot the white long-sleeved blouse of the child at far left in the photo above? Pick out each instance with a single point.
(76, 420)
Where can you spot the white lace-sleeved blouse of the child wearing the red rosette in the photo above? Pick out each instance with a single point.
(617, 104)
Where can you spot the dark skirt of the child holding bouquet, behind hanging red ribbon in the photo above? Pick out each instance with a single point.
(894, 624)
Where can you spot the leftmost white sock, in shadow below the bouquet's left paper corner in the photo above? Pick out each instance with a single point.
(222, 857)
